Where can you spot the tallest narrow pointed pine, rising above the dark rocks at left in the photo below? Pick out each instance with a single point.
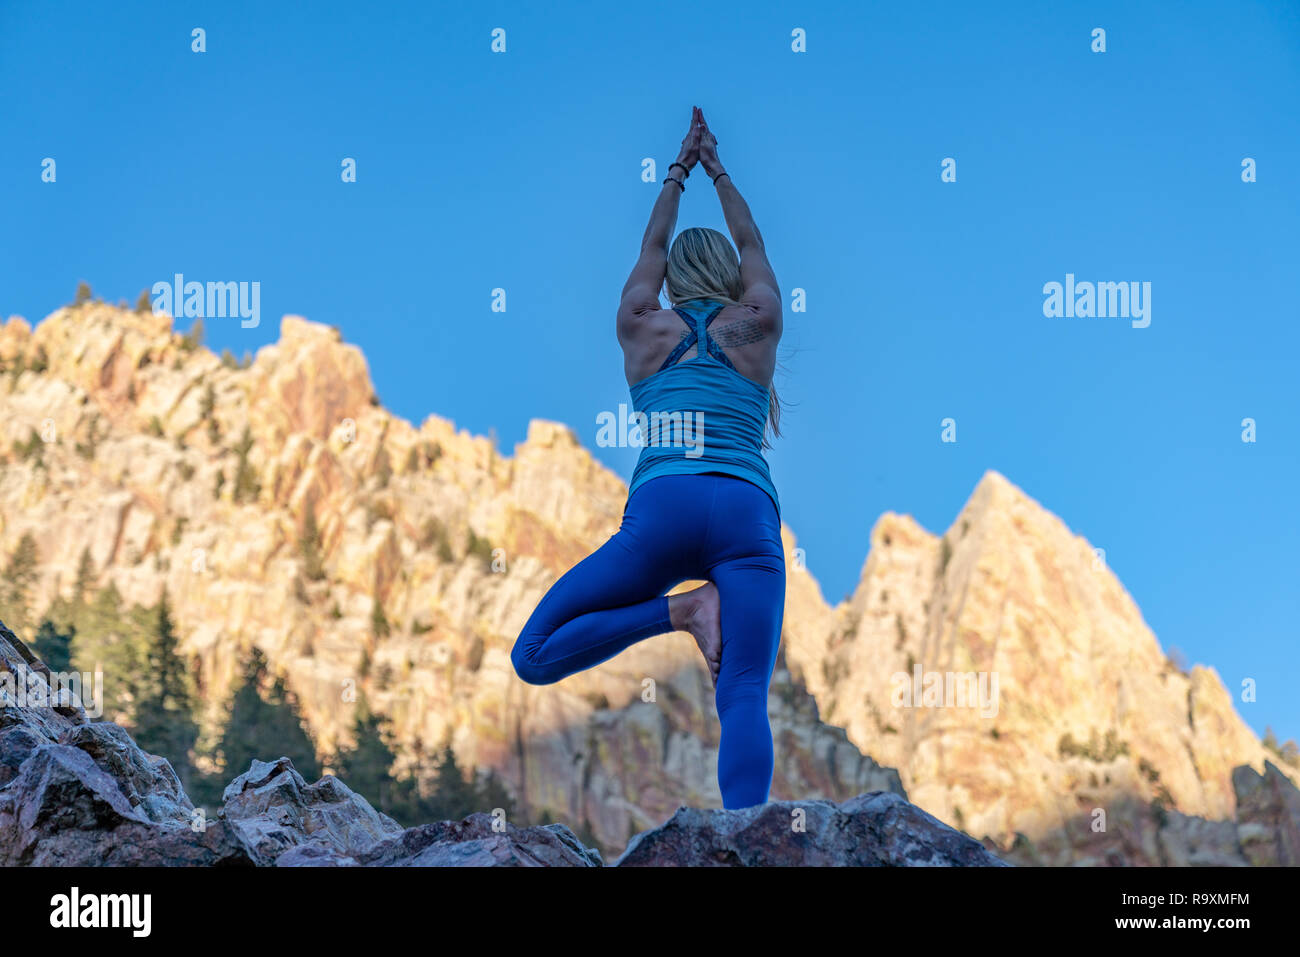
(164, 716)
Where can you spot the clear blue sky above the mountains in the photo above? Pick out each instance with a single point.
(522, 171)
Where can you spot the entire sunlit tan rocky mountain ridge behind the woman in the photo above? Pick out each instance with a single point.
(434, 548)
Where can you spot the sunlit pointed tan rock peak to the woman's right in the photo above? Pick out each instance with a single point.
(1089, 716)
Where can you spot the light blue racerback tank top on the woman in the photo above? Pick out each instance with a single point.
(701, 415)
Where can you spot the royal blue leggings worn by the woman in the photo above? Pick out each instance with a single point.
(679, 529)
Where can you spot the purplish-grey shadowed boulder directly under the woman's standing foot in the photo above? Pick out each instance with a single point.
(876, 830)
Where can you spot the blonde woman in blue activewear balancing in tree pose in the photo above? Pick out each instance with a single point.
(701, 505)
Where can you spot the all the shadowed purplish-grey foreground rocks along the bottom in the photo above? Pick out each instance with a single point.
(84, 794)
